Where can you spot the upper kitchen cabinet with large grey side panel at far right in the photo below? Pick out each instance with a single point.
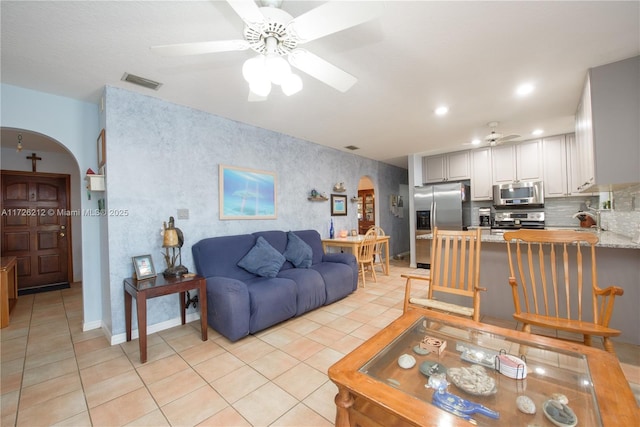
(607, 127)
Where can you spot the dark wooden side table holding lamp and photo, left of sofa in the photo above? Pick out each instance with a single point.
(157, 286)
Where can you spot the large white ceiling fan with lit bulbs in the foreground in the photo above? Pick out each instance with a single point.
(274, 34)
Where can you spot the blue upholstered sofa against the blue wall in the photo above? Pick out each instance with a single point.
(240, 302)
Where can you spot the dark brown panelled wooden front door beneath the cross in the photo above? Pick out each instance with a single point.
(35, 226)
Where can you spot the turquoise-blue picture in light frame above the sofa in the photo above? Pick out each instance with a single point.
(247, 193)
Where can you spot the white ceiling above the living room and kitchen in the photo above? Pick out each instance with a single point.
(416, 56)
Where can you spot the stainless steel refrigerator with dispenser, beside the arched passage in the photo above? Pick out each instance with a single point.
(445, 206)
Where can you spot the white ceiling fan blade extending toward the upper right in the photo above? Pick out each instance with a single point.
(332, 17)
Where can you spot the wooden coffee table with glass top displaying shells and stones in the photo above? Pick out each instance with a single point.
(489, 373)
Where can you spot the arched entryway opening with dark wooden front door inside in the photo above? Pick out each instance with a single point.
(44, 176)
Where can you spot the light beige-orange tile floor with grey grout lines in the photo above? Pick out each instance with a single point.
(53, 373)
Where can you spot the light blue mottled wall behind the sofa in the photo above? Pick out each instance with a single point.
(162, 157)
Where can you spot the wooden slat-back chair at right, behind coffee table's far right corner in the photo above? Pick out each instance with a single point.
(554, 284)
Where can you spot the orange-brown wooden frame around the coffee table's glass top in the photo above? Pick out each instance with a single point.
(362, 400)
